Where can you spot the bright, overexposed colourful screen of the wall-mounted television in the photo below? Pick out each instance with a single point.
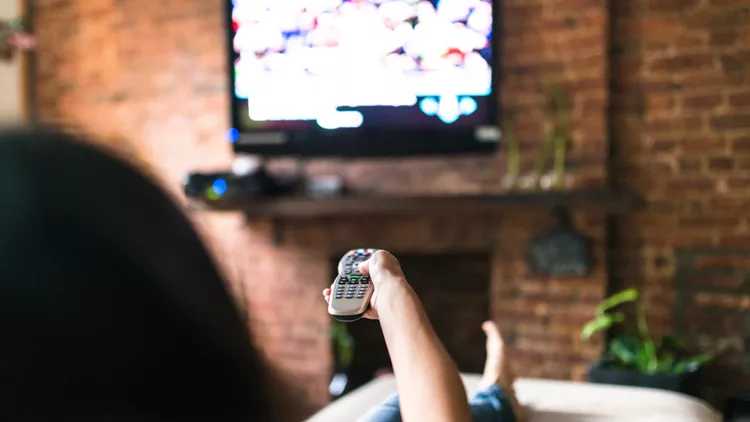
(343, 64)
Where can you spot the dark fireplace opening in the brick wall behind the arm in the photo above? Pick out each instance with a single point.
(454, 289)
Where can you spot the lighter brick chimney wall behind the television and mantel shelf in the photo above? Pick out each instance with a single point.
(151, 76)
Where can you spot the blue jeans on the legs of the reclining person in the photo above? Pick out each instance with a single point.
(489, 405)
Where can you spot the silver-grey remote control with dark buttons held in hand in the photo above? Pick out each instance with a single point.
(351, 291)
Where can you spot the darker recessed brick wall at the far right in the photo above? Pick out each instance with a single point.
(681, 121)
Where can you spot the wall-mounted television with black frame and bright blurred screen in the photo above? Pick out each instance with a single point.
(363, 77)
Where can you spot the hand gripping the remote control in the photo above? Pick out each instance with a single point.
(384, 270)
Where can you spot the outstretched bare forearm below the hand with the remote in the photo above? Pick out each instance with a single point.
(429, 385)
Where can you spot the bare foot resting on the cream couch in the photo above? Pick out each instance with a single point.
(496, 368)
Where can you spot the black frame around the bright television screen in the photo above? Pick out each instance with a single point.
(368, 142)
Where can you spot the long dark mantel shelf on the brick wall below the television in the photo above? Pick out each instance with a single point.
(600, 200)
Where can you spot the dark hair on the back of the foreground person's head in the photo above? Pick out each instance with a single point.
(110, 306)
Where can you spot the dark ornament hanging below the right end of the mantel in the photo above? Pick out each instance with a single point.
(560, 252)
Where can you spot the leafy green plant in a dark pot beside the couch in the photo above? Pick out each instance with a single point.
(636, 358)
